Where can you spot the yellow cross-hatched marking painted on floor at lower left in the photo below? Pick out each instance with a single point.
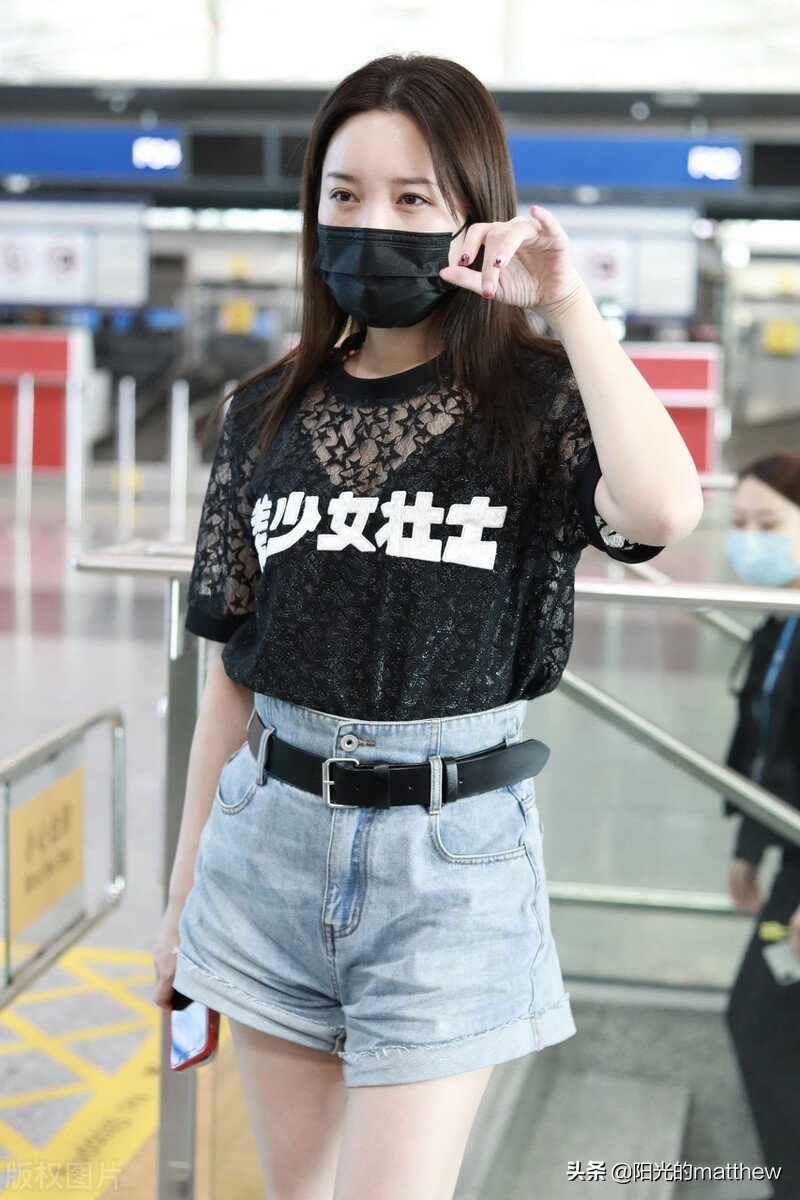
(121, 1115)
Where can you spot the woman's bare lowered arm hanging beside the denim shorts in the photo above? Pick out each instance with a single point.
(219, 733)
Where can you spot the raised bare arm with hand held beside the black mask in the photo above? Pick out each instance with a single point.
(649, 490)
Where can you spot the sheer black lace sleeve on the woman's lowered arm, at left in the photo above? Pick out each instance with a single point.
(225, 575)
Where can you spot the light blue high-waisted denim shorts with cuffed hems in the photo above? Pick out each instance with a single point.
(413, 943)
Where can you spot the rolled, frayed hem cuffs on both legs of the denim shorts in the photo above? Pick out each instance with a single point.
(388, 1065)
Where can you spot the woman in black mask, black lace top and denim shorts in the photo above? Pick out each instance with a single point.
(388, 548)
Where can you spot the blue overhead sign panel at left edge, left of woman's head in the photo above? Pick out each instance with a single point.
(91, 153)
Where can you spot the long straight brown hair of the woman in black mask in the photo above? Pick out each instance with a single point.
(480, 341)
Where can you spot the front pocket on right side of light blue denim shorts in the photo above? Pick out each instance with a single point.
(485, 829)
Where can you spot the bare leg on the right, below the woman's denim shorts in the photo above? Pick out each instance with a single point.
(406, 1142)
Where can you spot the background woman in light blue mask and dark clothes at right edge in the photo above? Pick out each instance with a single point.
(765, 1016)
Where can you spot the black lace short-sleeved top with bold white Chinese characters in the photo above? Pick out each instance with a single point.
(377, 567)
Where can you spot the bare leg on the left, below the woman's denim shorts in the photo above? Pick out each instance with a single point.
(297, 1101)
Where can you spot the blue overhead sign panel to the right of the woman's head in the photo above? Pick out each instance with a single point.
(652, 163)
